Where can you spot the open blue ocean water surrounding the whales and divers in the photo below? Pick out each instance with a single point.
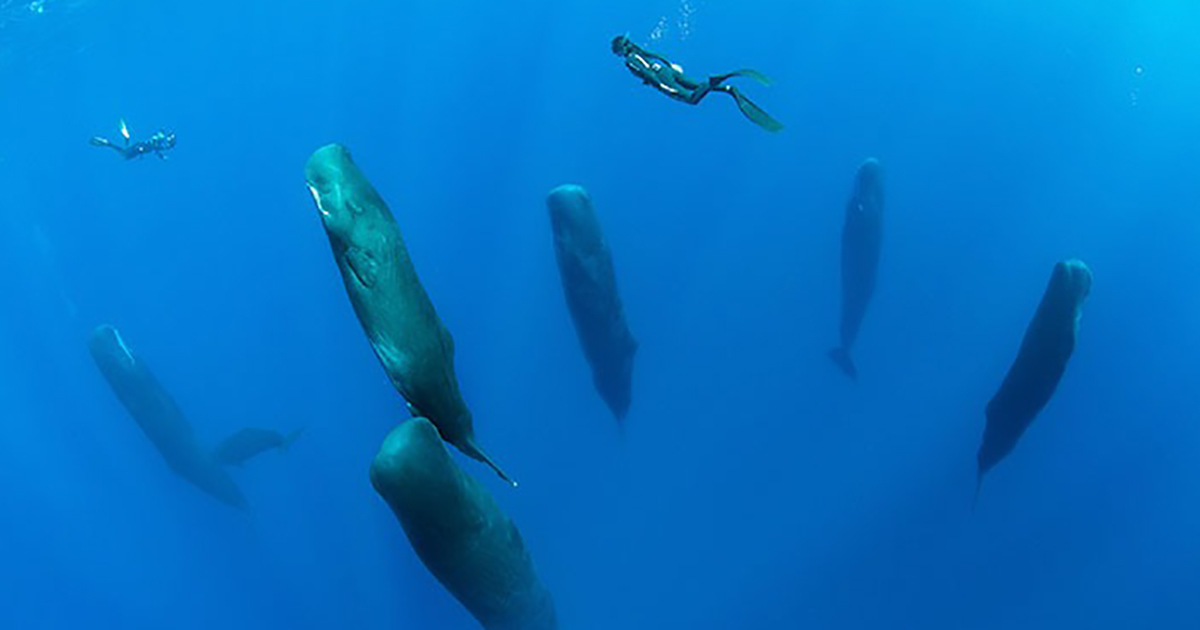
(753, 485)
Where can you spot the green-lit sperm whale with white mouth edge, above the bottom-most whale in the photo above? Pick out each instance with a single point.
(398, 316)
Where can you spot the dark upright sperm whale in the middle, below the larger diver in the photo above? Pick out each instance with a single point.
(590, 284)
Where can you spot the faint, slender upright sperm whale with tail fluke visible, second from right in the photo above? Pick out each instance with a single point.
(862, 238)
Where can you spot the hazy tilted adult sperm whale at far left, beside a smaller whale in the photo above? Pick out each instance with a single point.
(160, 418)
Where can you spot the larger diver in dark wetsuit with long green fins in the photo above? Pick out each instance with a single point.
(661, 74)
